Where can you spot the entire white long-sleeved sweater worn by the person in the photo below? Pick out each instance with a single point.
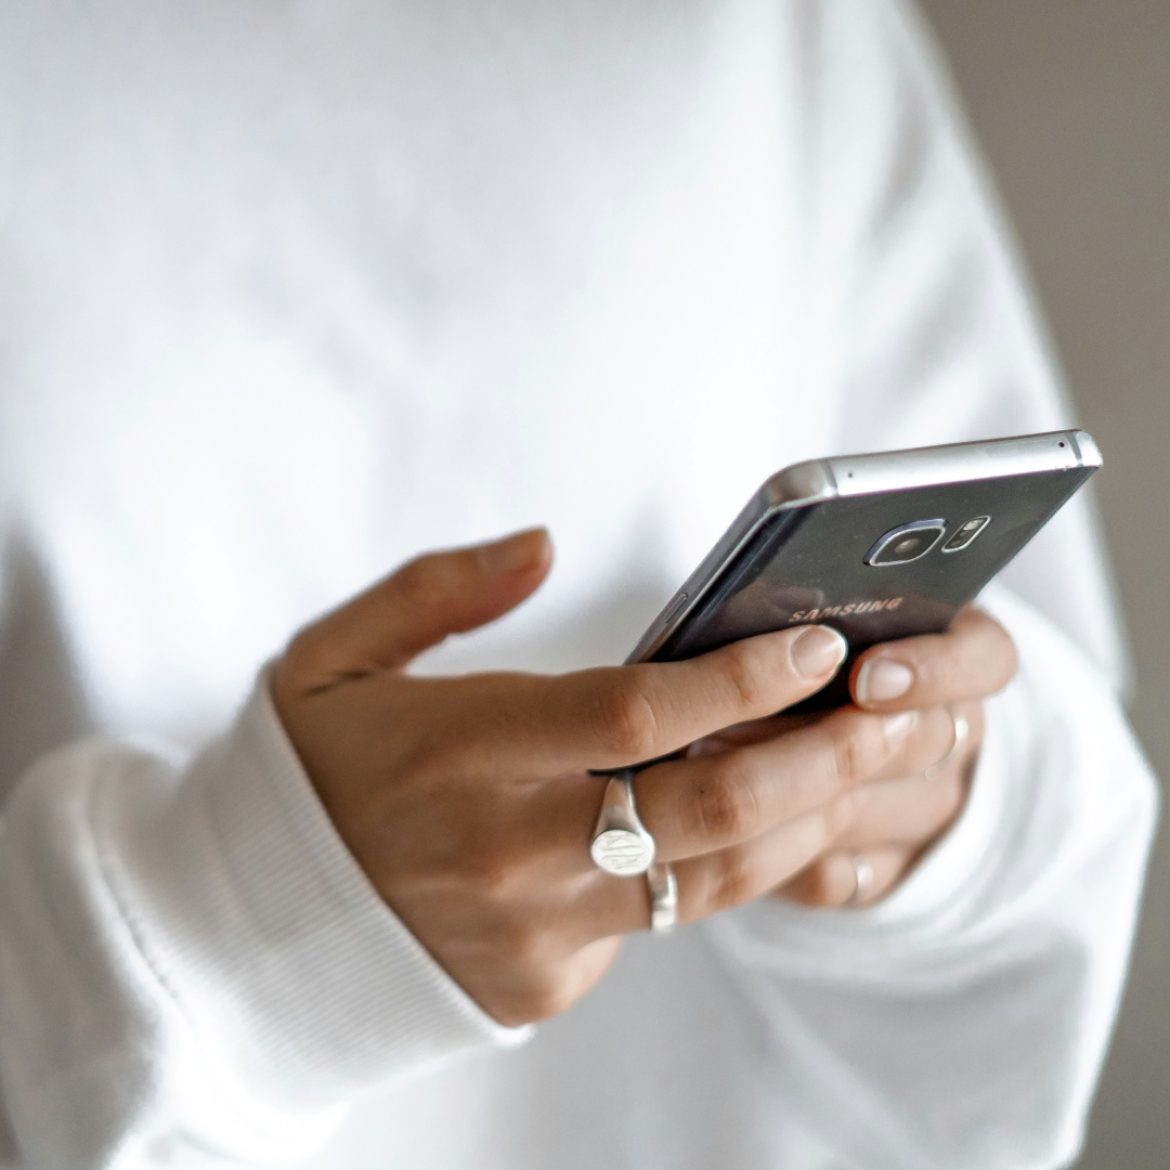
(293, 292)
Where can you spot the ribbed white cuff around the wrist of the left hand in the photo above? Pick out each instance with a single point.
(256, 917)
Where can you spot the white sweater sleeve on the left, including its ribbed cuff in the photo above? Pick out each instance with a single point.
(192, 961)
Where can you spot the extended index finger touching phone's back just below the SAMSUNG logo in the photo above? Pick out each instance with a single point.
(612, 718)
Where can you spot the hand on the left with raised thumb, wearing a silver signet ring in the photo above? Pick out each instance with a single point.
(469, 802)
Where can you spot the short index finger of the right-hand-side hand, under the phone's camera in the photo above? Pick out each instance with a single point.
(975, 658)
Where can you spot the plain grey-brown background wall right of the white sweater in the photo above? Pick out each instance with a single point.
(1071, 104)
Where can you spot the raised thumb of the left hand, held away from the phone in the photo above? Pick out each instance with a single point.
(418, 607)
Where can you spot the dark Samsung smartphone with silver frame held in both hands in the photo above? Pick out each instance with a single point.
(880, 547)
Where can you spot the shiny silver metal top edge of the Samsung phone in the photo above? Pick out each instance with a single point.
(988, 459)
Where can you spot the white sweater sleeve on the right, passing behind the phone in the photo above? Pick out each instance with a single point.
(963, 1021)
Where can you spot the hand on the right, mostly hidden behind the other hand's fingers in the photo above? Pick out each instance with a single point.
(896, 822)
